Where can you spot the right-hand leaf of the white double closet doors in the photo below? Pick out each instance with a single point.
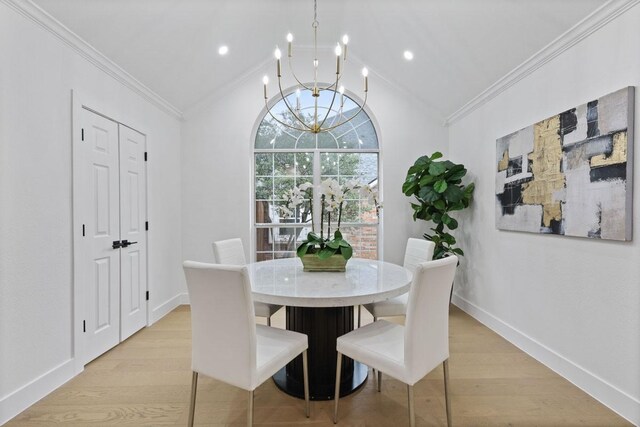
(132, 228)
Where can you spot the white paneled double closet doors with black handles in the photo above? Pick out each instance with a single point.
(110, 192)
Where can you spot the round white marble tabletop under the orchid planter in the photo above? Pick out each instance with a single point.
(282, 281)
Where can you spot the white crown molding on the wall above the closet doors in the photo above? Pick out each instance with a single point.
(30, 10)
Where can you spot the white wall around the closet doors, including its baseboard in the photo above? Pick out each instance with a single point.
(37, 75)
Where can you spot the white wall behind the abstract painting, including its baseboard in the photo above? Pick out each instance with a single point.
(572, 303)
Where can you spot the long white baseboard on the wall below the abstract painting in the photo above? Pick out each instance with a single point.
(617, 400)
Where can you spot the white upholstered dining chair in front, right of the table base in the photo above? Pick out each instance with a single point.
(409, 352)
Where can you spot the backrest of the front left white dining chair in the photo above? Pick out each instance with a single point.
(223, 327)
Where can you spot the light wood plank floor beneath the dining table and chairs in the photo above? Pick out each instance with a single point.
(146, 381)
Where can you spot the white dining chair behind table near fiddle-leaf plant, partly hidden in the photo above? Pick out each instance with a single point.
(417, 251)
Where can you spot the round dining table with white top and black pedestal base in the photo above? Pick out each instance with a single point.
(320, 305)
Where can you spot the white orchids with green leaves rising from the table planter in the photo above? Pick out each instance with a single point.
(332, 201)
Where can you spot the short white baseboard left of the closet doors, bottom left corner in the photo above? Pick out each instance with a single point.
(20, 399)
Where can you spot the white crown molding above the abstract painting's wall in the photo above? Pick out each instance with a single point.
(592, 23)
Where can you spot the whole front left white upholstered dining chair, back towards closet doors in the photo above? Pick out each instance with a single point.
(245, 355)
